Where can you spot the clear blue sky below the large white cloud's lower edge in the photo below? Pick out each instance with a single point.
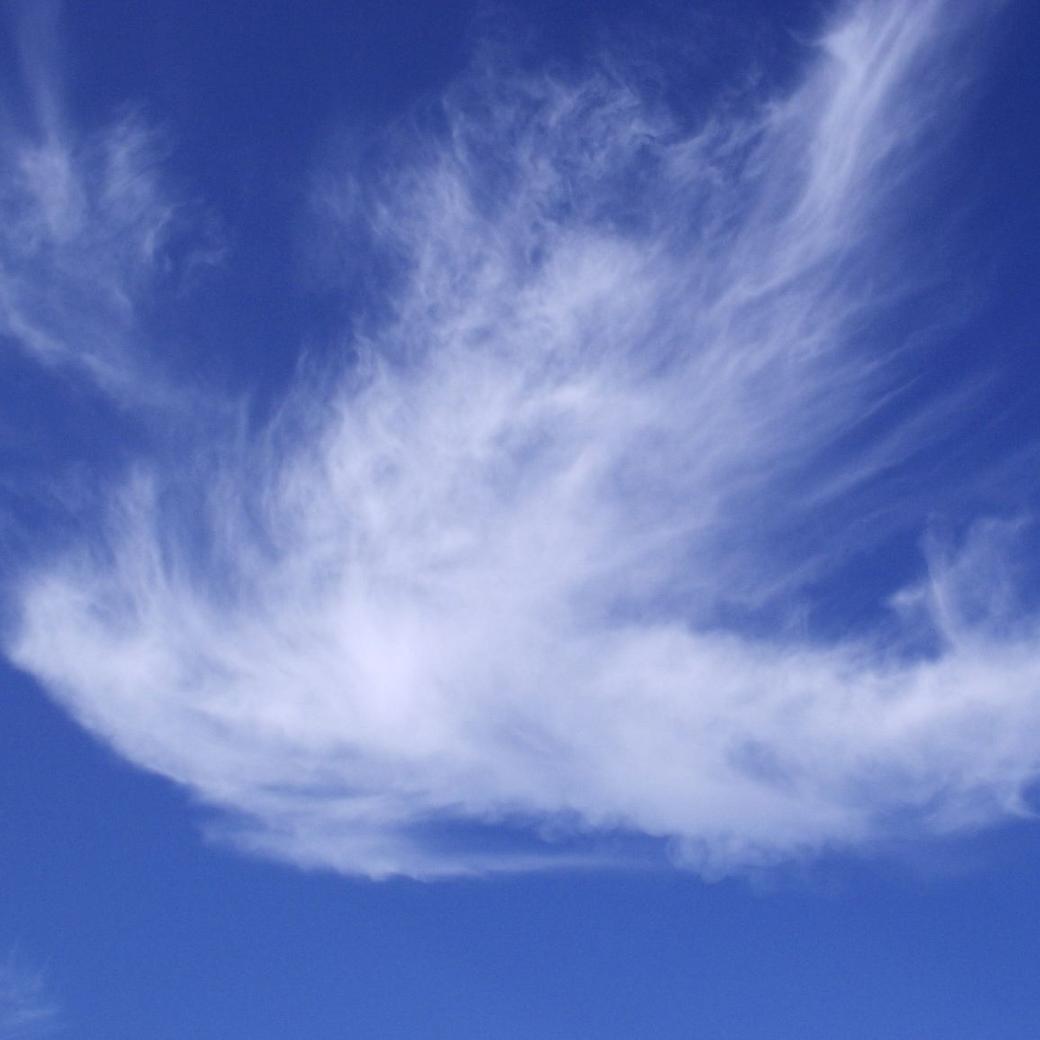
(142, 929)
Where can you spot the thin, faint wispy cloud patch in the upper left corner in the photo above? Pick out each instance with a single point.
(90, 229)
